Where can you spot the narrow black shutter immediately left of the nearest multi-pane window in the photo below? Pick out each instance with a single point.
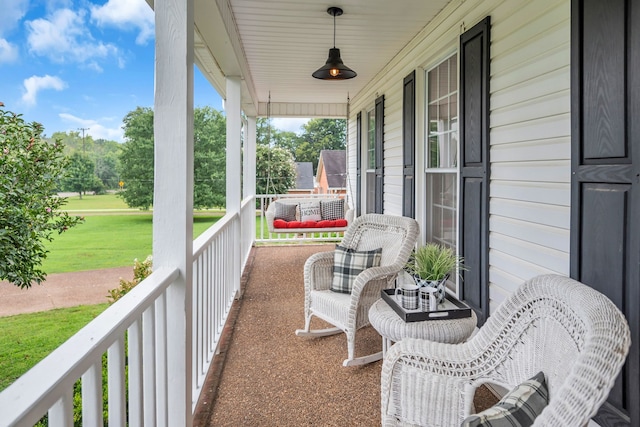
(409, 145)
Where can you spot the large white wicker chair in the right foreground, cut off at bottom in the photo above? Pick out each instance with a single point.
(553, 324)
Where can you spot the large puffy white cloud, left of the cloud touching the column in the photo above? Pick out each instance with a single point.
(63, 36)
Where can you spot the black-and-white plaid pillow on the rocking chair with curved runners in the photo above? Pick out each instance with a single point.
(348, 263)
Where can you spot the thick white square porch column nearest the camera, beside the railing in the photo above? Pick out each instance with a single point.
(173, 196)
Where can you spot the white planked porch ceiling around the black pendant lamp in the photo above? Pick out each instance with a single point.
(275, 45)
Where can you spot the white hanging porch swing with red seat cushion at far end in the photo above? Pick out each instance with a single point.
(307, 227)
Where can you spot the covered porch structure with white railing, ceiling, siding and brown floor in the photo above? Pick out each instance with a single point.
(482, 120)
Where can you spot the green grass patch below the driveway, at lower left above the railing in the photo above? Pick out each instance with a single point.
(28, 338)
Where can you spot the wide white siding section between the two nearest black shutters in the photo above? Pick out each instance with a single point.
(530, 144)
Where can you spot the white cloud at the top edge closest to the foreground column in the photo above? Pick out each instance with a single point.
(126, 14)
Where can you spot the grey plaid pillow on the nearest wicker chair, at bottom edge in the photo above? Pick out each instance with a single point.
(518, 408)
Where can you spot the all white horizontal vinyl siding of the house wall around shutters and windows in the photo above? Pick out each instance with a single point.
(529, 129)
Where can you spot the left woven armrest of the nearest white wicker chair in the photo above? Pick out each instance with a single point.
(428, 383)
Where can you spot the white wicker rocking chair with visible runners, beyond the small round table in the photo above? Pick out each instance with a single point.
(396, 236)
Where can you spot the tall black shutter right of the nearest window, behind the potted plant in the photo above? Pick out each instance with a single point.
(474, 167)
